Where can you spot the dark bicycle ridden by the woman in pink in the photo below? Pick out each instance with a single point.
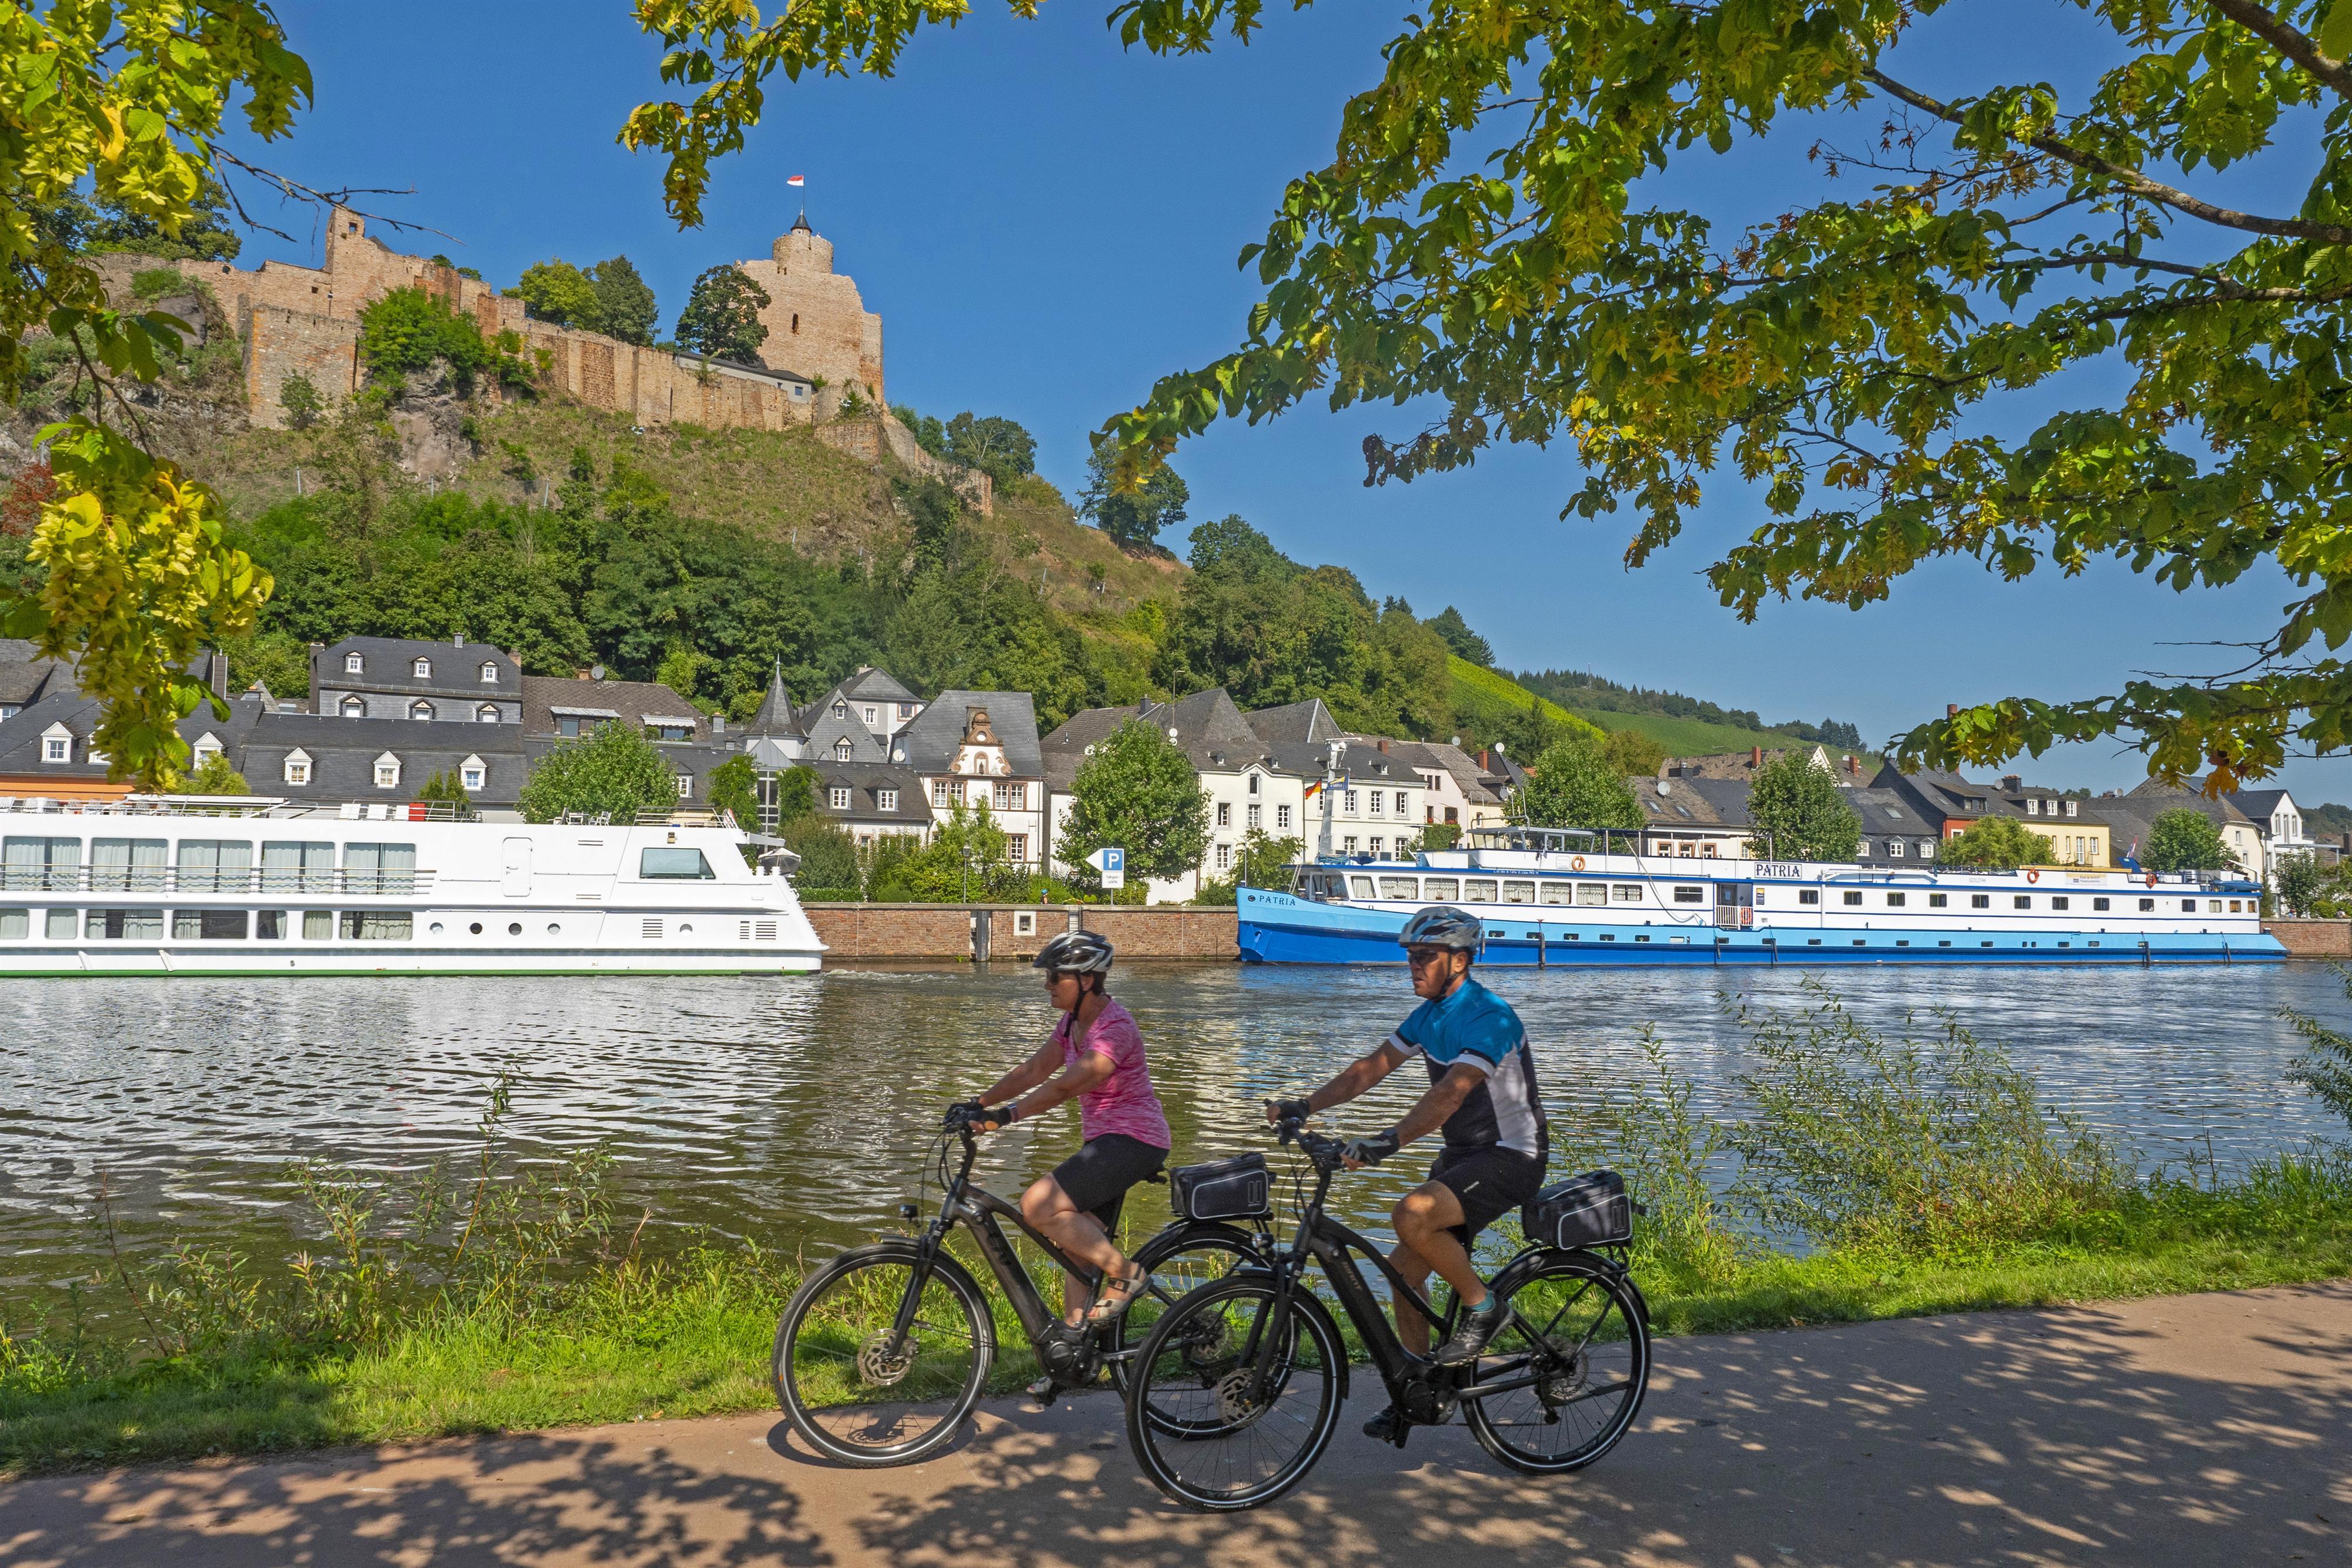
(886, 1351)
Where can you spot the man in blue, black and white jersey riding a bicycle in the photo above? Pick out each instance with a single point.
(1483, 1094)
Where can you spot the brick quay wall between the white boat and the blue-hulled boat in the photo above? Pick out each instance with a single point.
(1015, 932)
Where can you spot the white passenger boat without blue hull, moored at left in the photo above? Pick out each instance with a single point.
(269, 887)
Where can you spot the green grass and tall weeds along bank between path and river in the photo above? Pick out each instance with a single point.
(1859, 1179)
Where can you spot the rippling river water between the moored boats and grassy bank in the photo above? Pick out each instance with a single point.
(801, 1111)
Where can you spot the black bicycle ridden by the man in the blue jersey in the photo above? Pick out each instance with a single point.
(1238, 1388)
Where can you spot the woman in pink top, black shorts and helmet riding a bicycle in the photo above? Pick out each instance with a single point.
(1097, 1059)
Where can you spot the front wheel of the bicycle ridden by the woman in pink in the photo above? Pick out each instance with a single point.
(862, 1395)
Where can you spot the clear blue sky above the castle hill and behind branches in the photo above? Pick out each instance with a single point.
(1048, 225)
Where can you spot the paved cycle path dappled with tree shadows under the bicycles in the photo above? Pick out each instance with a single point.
(2184, 1430)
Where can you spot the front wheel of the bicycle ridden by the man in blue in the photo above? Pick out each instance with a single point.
(1205, 1428)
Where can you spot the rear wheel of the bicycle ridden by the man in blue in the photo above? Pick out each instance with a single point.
(1579, 1348)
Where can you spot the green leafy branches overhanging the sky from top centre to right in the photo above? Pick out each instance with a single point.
(1481, 243)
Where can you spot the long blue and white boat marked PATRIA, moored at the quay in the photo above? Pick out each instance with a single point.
(1565, 897)
